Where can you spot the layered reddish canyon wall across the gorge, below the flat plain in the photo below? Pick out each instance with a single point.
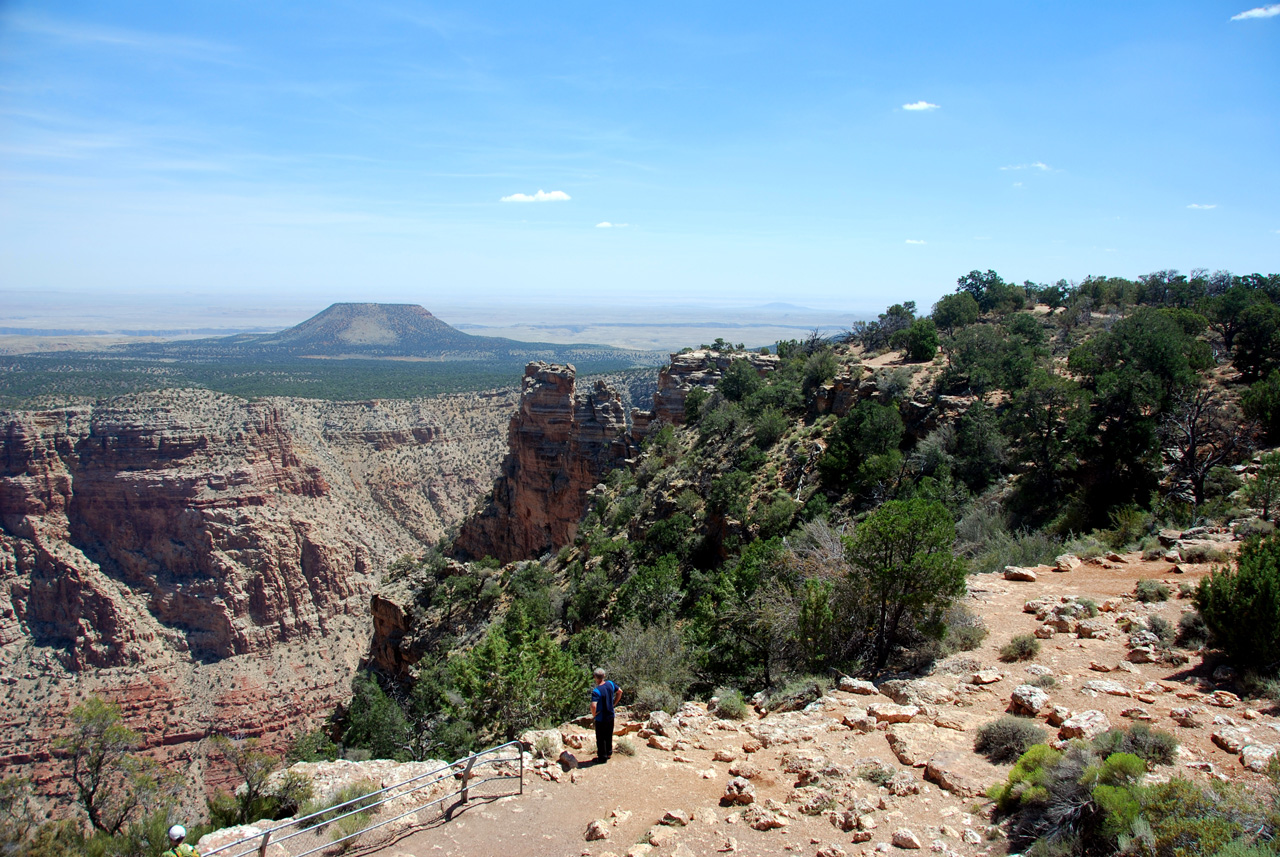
(208, 562)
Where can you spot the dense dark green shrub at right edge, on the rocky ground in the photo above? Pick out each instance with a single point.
(1242, 607)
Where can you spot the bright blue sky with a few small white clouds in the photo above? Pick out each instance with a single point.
(742, 153)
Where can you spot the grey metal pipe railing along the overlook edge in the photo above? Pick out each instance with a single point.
(328, 831)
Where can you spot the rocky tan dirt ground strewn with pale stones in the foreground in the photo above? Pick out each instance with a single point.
(888, 767)
